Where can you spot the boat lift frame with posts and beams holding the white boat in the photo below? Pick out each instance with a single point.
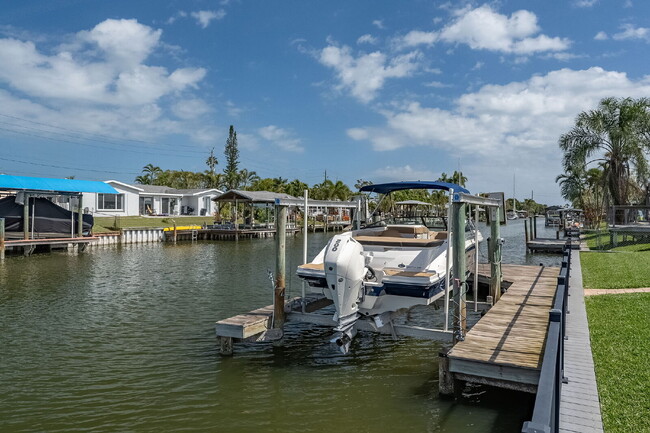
(254, 326)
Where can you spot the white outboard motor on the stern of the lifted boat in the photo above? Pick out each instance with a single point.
(344, 271)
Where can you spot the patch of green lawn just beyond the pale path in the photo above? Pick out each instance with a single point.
(615, 270)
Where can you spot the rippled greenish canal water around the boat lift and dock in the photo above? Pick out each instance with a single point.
(122, 339)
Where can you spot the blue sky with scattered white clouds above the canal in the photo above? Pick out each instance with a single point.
(367, 89)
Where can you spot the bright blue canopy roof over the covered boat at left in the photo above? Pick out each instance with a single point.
(50, 185)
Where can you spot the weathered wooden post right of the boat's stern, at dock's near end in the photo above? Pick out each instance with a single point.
(459, 269)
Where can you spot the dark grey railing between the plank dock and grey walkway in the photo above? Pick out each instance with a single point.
(546, 414)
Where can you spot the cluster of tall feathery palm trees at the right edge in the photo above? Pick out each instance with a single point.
(605, 157)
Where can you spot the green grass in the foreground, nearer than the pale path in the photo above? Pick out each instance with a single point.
(620, 342)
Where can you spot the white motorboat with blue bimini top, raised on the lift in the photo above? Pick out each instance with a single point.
(390, 262)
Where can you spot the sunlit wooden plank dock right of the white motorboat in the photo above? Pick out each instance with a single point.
(506, 347)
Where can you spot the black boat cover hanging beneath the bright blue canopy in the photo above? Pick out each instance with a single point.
(48, 217)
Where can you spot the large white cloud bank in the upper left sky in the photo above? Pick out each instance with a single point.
(100, 82)
